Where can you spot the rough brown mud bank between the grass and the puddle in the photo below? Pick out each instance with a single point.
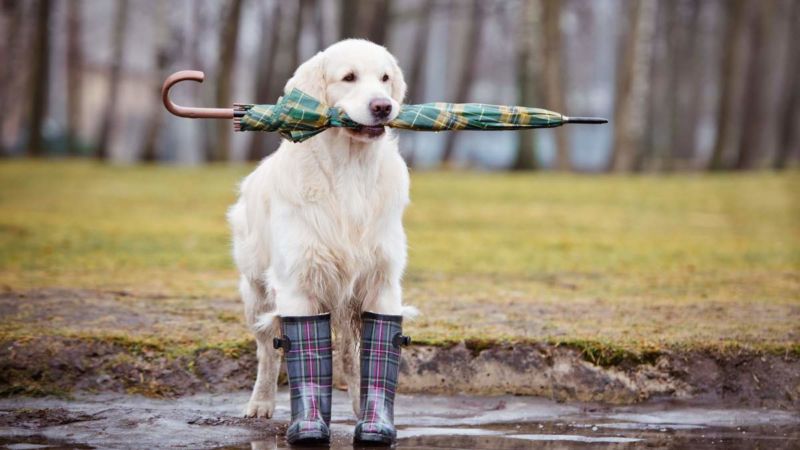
(61, 365)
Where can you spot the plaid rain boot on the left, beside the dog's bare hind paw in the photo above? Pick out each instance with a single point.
(306, 345)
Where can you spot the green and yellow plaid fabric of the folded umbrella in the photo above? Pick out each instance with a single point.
(297, 116)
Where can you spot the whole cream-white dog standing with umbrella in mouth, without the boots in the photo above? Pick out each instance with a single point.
(318, 225)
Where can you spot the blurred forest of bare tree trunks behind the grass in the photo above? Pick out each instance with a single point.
(687, 84)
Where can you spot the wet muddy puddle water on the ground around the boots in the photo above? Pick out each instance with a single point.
(213, 421)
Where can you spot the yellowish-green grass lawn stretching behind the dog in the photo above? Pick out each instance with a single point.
(604, 263)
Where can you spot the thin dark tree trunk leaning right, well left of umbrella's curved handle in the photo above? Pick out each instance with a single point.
(118, 44)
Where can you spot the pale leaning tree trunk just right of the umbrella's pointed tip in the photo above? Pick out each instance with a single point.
(632, 80)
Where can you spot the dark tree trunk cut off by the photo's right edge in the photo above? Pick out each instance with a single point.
(789, 109)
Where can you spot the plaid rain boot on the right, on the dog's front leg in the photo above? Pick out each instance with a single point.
(381, 338)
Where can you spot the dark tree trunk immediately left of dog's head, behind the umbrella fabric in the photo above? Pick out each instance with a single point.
(268, 51)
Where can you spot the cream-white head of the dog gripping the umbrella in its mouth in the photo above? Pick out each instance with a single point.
(358, 76)
